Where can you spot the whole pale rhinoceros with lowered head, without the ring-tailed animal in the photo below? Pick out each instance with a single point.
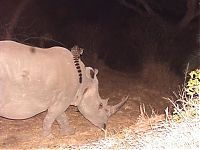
(34, 80)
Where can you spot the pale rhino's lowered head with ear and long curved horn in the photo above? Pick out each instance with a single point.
(93, 107)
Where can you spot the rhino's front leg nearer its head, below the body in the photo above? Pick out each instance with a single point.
(64, 125)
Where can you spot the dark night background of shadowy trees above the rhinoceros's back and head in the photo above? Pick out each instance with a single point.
(124, 37)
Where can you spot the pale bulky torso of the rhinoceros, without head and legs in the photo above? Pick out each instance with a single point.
(32, 78)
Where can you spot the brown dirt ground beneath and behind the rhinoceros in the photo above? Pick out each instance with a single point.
(26, 134)
